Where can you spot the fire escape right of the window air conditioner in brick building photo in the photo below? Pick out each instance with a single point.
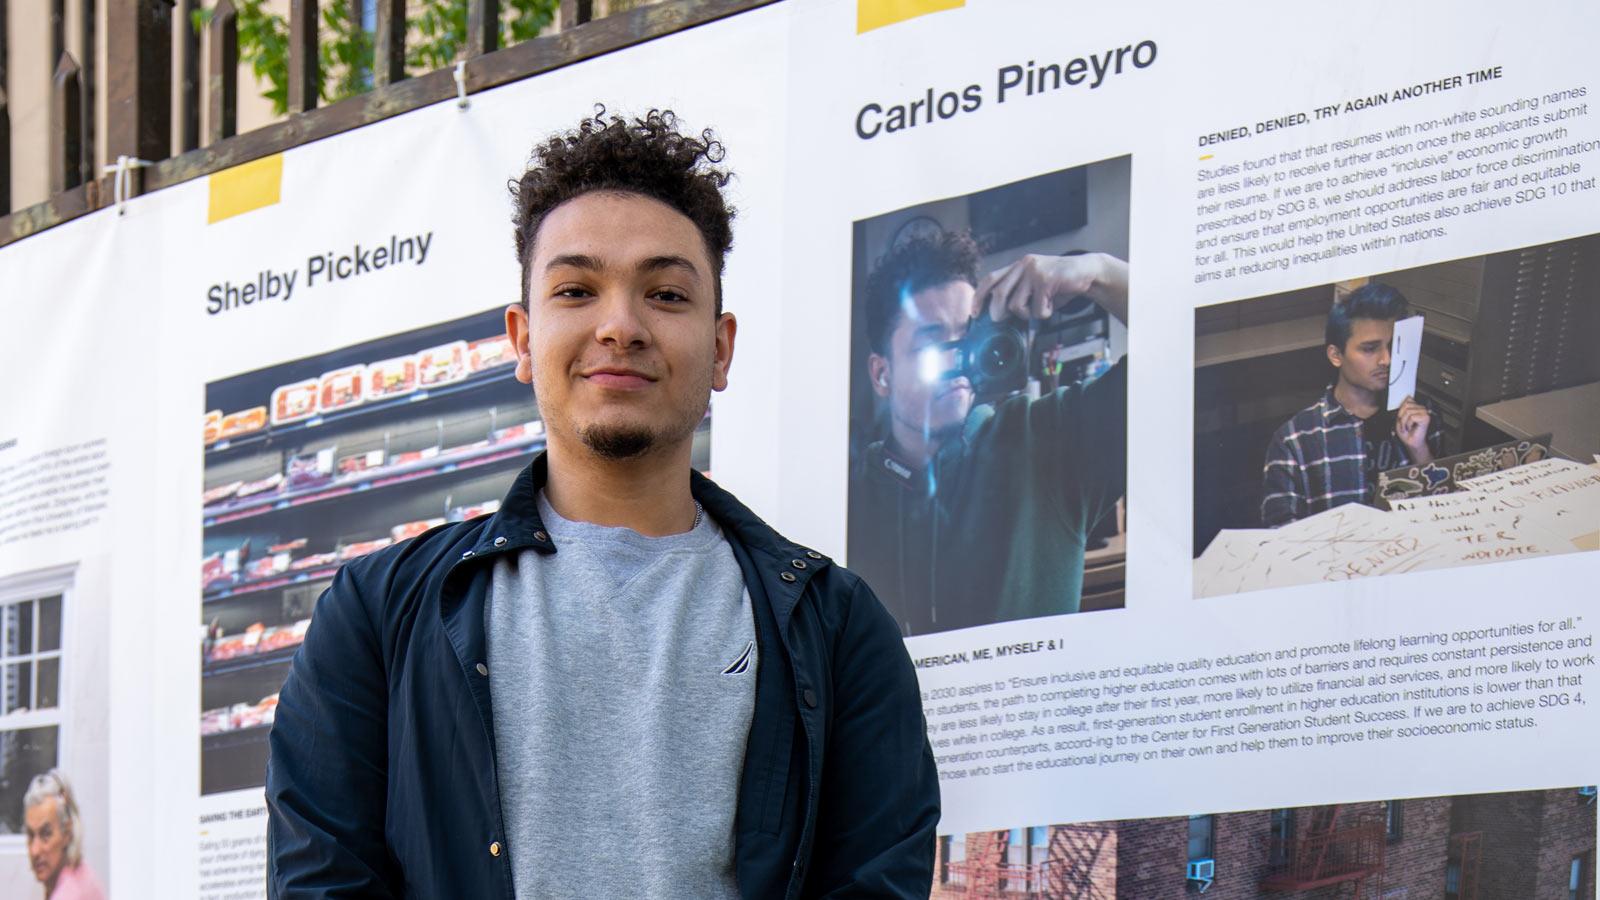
(1327, 854)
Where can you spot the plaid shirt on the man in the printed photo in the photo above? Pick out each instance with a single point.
(1321, 459)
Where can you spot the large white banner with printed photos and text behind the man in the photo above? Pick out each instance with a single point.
(1073, 329)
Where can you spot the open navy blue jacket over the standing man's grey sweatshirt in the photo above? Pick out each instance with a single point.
(382, 777)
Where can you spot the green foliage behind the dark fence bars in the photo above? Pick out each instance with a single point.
(436, 36)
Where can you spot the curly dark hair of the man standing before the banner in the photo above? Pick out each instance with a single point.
(646, 156)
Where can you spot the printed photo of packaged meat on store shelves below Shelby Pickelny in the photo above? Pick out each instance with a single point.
(322, 460)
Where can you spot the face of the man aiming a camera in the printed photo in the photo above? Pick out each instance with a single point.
(916, 377)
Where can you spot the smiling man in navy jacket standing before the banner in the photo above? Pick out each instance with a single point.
(623, 685)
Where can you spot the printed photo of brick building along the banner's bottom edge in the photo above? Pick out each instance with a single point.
(1510, 846)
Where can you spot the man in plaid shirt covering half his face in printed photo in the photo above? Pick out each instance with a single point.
(1330, 452)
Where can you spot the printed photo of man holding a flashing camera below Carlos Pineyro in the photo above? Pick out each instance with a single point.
(994, 451)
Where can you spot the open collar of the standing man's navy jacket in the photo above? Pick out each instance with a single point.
(783, 566)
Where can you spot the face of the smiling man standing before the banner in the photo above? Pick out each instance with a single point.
(622, 340)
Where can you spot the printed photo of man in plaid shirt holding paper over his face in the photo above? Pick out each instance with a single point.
(1422, 419)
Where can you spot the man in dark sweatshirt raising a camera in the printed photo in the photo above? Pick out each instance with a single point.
(974, 513)
